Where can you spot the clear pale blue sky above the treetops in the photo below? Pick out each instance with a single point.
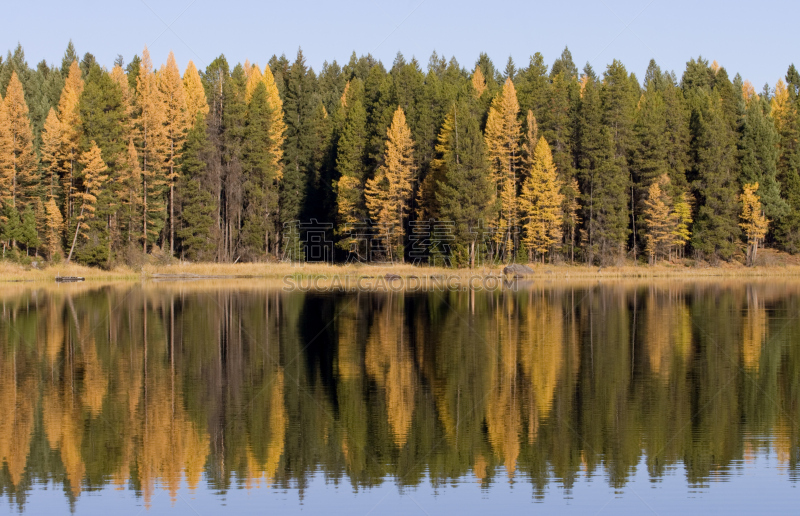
(757, 40)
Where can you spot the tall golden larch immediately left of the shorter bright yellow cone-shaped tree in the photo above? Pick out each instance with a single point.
(503, 153)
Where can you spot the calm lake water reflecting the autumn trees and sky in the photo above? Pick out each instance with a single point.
(582, 398)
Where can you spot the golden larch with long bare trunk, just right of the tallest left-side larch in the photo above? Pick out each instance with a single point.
(176, 124)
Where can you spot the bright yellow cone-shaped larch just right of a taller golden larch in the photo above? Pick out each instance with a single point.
(541, 202)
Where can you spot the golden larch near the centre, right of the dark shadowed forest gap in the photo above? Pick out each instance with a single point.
(389, 192)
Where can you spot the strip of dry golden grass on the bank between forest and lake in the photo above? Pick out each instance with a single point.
(772, 263)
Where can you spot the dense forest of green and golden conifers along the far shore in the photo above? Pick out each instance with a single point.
(539, 163)
